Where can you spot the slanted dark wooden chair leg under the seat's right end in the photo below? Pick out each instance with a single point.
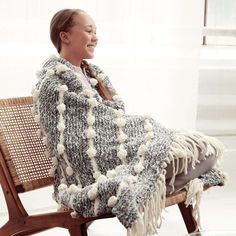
(186, 213)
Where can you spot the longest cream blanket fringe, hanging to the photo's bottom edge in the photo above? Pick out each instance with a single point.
(150, 218)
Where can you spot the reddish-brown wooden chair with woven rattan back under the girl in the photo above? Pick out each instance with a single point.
(24, 167)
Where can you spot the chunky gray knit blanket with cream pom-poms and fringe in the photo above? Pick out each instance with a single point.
(105, 160)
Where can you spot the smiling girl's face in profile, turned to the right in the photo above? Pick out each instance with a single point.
(81, 38)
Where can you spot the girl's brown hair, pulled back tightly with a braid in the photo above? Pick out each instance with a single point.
(63, 20)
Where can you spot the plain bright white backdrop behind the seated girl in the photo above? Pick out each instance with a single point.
(149, 48)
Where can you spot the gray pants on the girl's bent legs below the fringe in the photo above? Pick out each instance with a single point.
(182, 179)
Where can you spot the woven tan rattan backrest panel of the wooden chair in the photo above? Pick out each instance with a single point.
(23, 150)
